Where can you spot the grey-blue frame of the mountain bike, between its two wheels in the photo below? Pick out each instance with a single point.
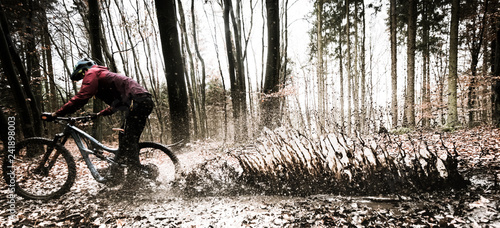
(77, 134)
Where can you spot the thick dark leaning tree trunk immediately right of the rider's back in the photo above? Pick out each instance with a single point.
(174, 70)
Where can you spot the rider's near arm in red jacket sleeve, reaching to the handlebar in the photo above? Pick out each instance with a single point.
(88, 89)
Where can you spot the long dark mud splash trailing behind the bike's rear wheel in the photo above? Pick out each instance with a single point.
(285, 162)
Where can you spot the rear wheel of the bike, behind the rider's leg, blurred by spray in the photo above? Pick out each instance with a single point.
(160, 159)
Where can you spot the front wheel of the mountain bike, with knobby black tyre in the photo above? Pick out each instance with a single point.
(20, 173)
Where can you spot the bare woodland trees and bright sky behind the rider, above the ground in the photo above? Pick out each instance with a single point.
(222, 68)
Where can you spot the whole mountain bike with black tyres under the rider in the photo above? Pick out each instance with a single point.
(43, 169)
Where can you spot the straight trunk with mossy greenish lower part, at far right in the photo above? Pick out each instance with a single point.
(452, 78)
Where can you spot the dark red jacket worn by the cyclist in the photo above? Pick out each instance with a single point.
(114, 89)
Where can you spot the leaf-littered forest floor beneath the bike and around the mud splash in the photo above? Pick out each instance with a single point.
(90, 204)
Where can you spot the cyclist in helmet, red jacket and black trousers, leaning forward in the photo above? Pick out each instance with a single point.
(121, 93)
